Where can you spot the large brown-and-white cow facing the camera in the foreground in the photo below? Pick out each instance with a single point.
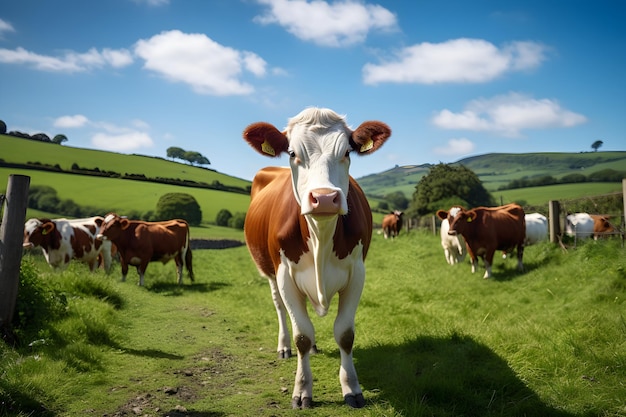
(308, 230)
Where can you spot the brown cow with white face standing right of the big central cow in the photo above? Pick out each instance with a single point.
(487, 229)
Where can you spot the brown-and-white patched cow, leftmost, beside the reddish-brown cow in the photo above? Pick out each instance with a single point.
(62, 240)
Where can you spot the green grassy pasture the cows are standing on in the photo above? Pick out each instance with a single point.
(431, 339)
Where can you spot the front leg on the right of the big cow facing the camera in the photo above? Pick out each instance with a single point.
(344, 336)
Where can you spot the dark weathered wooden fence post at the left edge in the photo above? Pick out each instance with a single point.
(11, 235)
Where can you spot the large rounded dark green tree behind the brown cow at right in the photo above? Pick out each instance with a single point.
(447, 185)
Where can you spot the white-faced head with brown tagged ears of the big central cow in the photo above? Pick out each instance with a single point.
(319, 144)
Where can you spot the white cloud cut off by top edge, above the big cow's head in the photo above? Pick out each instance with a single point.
(341, 23)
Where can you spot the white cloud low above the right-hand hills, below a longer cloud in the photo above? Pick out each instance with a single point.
(508, 115)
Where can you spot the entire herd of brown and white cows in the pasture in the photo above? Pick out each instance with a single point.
(308, 230)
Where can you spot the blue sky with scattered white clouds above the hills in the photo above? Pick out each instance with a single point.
(451, 78)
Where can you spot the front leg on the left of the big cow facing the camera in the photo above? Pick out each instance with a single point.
(303, 336)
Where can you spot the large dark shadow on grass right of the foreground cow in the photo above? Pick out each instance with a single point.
(453, 376)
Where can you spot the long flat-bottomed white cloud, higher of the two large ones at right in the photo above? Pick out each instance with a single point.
(455, 61)
